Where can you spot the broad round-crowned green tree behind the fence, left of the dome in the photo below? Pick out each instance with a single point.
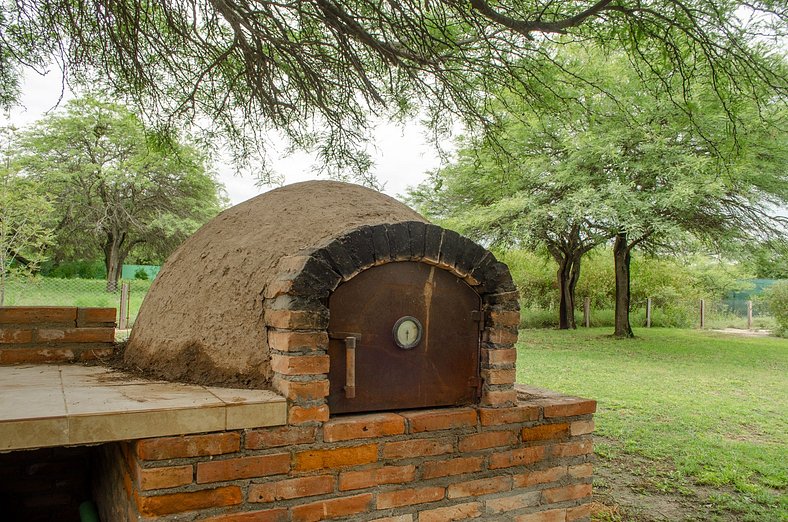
(100, 186)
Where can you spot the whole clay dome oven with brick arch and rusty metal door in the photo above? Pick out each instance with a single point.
(337, 296)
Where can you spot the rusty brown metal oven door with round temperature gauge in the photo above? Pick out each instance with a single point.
(403, 335)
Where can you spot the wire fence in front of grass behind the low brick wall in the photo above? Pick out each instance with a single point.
(51, 291)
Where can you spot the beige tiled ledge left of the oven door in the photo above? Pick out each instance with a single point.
(57, 405)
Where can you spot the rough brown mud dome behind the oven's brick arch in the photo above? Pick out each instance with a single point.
(202, 320)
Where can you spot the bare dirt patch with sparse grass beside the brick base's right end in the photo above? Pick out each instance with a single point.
(632, 488)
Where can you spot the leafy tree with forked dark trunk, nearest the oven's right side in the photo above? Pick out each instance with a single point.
(507, 200)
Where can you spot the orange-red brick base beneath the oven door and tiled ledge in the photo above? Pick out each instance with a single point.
(531, 462)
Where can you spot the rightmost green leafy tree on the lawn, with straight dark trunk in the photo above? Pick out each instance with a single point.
(637, 168)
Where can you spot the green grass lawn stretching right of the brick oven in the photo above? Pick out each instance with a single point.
(713, 406)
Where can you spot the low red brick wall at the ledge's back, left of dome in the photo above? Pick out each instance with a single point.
(49, 334)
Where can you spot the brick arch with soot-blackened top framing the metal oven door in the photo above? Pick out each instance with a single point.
(296, 306)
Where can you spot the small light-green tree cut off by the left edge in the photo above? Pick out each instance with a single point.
(24, 216)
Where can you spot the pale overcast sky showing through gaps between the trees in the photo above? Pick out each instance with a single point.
(402, 156)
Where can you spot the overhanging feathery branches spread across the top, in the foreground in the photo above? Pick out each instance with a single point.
(316, 69)
